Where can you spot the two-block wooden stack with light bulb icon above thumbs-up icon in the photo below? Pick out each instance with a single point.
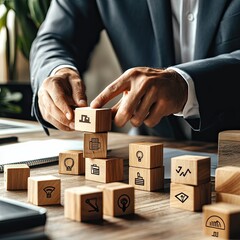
(146, 170)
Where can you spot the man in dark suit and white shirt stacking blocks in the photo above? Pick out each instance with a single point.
(180, 62)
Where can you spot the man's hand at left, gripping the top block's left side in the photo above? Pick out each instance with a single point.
(58, 94)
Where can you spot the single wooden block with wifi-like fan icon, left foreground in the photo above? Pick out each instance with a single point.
(44, 190)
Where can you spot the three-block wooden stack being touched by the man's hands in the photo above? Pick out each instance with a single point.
(95, 123)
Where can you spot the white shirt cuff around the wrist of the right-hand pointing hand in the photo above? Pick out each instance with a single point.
(191, 108)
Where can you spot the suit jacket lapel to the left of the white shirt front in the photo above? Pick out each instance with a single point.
(160, 12)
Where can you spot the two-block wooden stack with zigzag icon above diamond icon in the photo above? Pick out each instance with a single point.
(190, 185)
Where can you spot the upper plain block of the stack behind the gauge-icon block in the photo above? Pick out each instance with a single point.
(227, 180)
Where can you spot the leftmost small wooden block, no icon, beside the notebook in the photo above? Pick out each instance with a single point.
(16, 176)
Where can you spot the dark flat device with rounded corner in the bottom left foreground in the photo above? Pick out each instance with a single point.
(17, 217)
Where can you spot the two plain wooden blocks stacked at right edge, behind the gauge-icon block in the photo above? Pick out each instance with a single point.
(227, 186)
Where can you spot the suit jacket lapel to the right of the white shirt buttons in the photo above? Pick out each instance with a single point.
(209, 14)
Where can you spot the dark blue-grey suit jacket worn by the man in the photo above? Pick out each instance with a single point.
(141, 35)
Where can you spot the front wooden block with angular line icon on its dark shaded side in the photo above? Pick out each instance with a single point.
(83, 204)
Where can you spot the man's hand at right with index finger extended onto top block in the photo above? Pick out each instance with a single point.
(148, 95)
